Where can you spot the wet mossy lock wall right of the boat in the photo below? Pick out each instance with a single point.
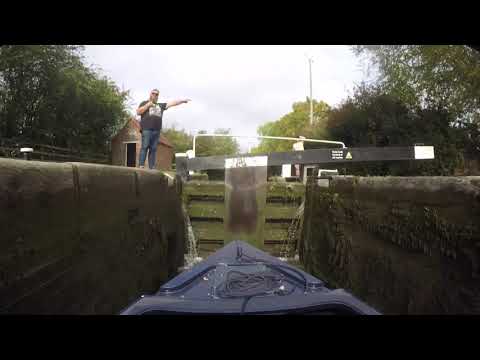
(404, 245)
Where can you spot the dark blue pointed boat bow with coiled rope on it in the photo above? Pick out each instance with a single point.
(240, 279)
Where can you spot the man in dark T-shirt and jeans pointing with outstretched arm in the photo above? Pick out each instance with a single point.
(151, 112)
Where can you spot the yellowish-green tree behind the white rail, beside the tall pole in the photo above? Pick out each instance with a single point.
(294, 124)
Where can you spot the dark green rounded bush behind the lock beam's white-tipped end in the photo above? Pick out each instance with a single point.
(373, 118)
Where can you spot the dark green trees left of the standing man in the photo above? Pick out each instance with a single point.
(48, 96)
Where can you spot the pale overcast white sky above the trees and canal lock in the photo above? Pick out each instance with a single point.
(235, 87)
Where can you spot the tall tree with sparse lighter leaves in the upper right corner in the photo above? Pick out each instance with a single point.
(445, 78)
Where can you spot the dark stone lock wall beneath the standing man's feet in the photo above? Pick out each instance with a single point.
(79, 238)
